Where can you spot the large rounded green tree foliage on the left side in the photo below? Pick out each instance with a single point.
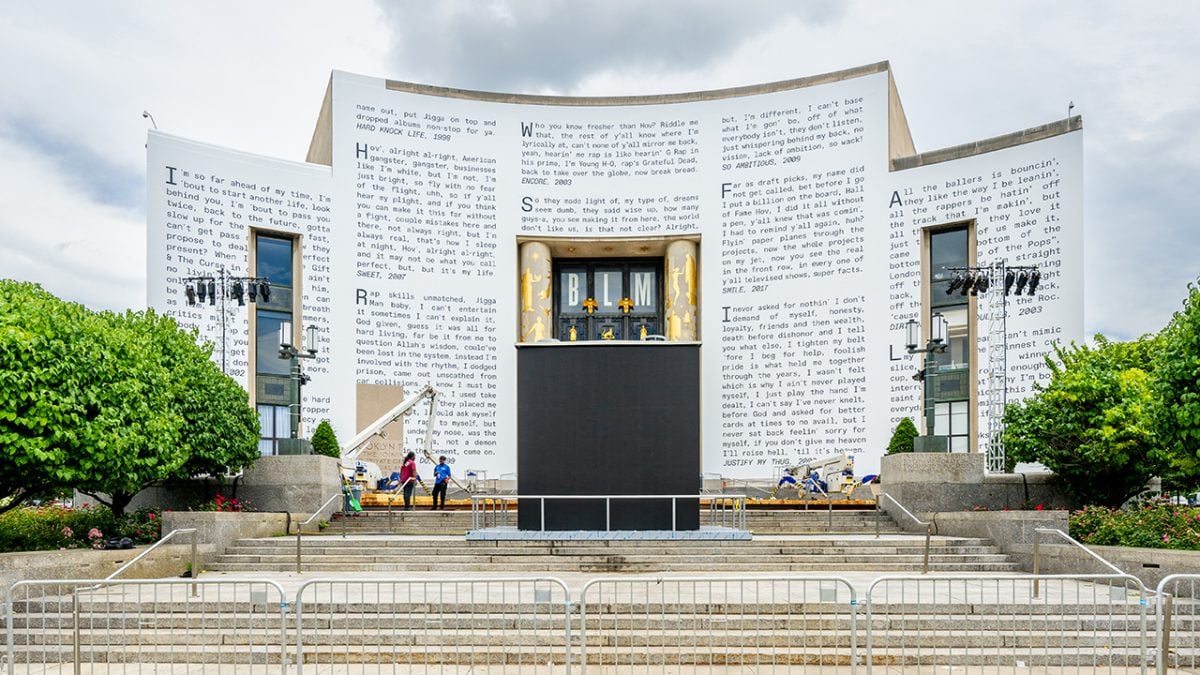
(110, 403)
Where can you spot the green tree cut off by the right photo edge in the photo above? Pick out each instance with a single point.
(1178, 386)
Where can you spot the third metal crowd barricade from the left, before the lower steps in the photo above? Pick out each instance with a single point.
(693, 625)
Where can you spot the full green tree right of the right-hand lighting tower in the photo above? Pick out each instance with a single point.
(1093, 425)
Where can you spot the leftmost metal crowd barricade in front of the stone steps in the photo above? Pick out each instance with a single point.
(121, 626)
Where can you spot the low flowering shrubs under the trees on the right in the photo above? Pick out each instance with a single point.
(1155, 525)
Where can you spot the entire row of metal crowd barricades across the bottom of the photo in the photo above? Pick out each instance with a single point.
(773, 624)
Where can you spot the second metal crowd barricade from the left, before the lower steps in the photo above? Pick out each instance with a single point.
(428, 626)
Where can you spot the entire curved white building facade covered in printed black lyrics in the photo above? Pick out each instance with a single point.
(809, 250)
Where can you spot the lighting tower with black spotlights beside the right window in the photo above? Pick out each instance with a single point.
(1007, 280)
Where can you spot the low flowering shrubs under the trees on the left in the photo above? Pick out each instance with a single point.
(47, 529)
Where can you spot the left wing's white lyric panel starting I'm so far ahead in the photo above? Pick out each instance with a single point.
(203, 202)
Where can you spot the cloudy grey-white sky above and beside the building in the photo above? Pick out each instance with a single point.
(76, 79)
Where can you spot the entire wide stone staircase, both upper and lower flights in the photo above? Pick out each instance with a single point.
(424, 596)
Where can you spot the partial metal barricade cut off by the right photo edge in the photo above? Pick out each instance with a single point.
(1178, 618)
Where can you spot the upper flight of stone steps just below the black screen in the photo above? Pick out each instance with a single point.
(784, 541)
